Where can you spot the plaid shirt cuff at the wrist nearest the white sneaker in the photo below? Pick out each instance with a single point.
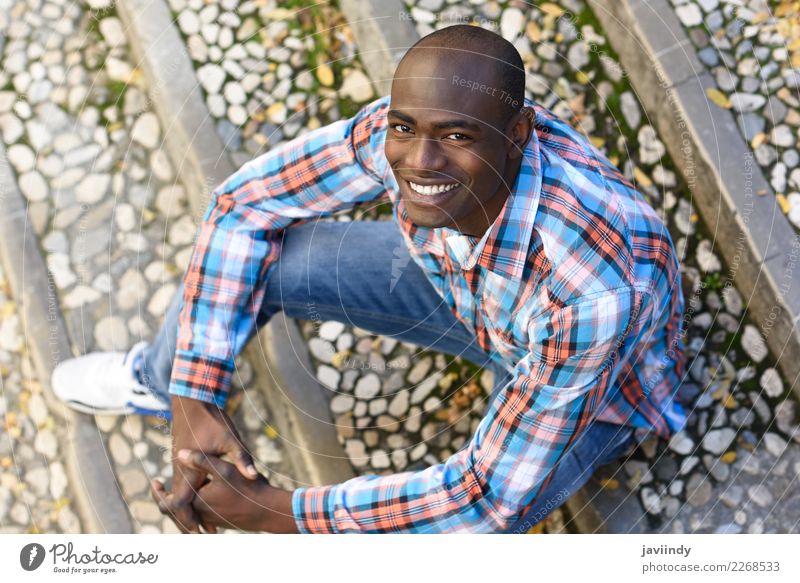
(202, 378)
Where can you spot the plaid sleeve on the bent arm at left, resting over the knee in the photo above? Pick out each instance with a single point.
(238, 242)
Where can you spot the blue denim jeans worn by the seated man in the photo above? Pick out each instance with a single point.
(361, 273)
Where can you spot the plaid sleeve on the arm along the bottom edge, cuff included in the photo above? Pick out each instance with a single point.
(494, 479)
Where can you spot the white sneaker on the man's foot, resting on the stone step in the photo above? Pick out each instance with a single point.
(104, 383)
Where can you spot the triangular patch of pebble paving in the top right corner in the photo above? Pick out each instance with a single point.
(749, 47)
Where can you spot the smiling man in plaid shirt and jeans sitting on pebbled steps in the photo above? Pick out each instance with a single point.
(531, 254)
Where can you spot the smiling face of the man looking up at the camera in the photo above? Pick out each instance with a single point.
(446, 144)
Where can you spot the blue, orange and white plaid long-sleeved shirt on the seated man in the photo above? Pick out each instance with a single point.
(575, 289)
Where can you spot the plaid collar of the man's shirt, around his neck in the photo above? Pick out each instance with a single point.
(503, 248)
